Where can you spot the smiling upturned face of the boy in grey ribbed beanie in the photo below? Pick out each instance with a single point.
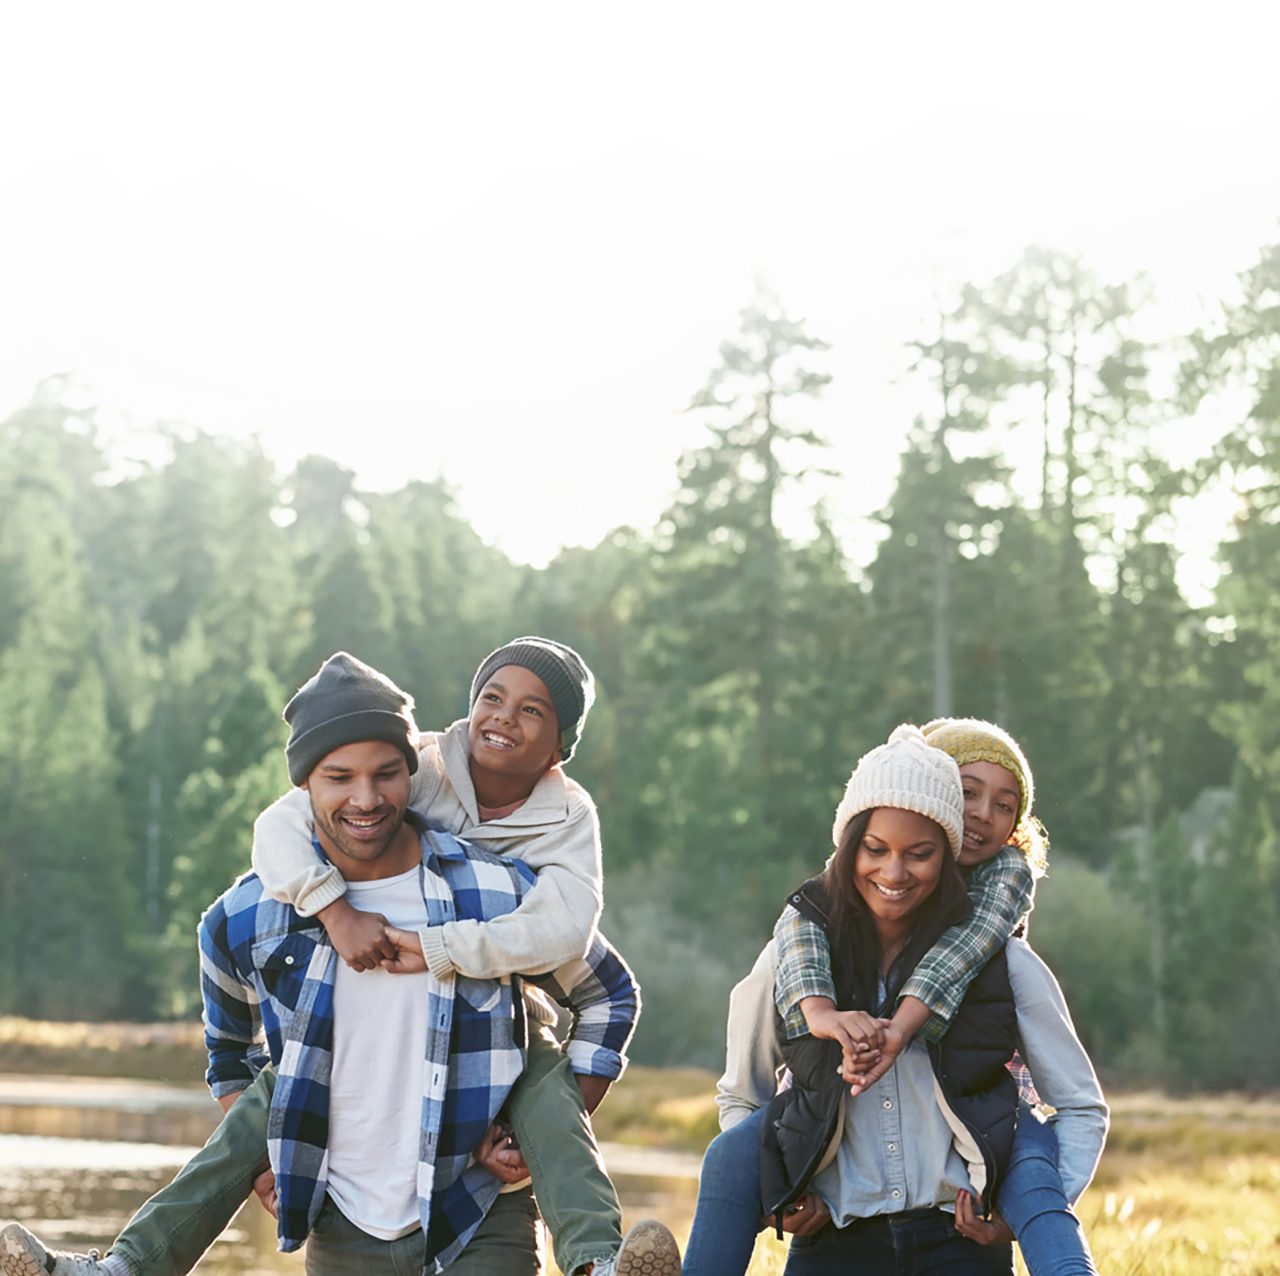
(514, 729)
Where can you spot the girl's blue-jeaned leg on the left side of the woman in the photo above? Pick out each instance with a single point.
(729, 1204)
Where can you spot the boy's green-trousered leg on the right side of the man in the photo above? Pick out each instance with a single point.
(572, 1186)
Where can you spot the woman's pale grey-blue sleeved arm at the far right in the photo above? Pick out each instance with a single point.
(1060, 1068)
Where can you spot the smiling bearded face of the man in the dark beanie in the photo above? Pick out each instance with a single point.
(359, 795)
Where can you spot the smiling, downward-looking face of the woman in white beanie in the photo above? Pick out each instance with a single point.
(898, 865)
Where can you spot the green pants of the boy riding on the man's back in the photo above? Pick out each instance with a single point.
(171, 1233)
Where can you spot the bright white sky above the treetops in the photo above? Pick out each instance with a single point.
(504, 243)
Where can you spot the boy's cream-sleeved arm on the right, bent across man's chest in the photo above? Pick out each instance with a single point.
(555, 923)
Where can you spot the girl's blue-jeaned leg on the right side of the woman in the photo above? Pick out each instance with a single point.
(1036, 1208)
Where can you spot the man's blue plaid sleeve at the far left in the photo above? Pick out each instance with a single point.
(234, 1028)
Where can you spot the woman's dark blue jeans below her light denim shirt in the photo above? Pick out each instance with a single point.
(917, 1243)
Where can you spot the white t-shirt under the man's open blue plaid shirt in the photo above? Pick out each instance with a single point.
(376, 1113)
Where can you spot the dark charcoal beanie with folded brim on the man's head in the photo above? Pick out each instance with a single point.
(342, 703)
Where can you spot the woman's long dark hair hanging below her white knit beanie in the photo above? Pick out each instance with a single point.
(856, 949)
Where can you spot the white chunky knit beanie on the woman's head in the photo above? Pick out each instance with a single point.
(912, 775)
